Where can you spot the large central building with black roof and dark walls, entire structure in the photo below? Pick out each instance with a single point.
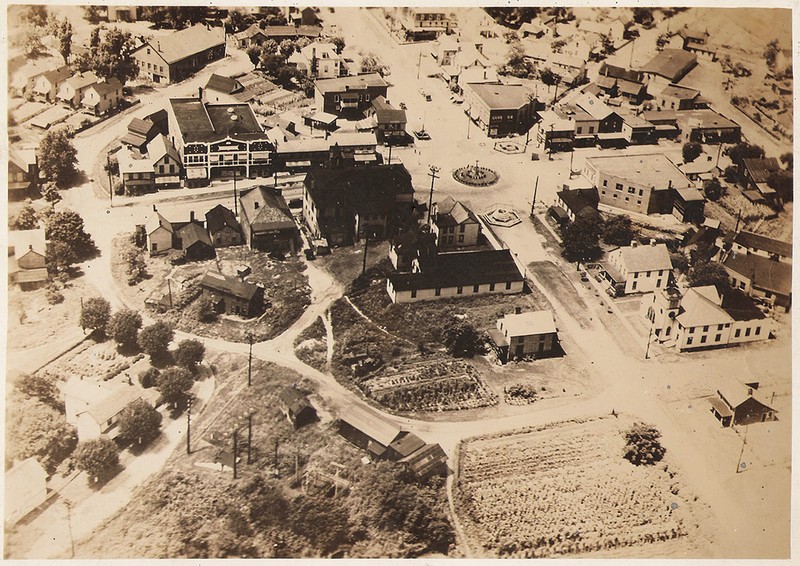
(345, 203)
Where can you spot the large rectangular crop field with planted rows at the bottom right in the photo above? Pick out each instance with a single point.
(566, 489)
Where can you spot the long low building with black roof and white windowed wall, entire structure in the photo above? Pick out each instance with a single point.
(458, 274)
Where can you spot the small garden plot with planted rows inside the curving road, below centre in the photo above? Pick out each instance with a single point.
(431, 385)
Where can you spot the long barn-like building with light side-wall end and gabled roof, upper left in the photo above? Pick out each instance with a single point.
(172, 58)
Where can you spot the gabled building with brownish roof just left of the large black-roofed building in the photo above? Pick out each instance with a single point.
(267, 222)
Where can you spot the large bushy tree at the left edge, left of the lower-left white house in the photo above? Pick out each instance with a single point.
(37, 430)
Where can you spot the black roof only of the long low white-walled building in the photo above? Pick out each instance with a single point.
(460, 269)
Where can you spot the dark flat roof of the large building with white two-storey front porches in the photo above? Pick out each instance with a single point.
(211, 122)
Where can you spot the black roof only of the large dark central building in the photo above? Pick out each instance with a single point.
(371, 189)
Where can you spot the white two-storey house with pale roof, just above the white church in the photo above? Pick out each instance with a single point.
(640, 268)
